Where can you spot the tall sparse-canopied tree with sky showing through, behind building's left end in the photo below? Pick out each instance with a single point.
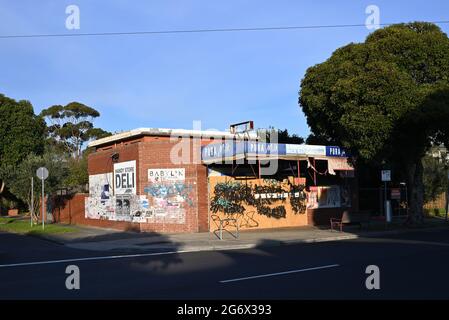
(70, 126)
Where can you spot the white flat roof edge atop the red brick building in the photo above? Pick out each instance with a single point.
(165, 132)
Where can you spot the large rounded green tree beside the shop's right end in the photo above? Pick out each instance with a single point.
(386, 100)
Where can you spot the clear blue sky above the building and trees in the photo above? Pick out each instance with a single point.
(171, 80)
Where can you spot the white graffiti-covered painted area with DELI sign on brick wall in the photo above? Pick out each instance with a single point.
(112, 196)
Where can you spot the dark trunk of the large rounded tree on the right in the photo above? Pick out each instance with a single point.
(416, 191)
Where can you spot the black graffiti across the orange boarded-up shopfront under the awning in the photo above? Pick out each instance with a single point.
(268, 198)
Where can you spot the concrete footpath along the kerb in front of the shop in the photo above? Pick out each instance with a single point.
(96, 239)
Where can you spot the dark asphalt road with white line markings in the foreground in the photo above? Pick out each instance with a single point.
(414, 265)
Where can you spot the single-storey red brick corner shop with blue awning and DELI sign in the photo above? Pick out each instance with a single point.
(173, 180)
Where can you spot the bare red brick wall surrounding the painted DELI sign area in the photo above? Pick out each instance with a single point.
(153, 152)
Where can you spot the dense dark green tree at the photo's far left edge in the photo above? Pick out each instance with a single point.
(21, 132)
